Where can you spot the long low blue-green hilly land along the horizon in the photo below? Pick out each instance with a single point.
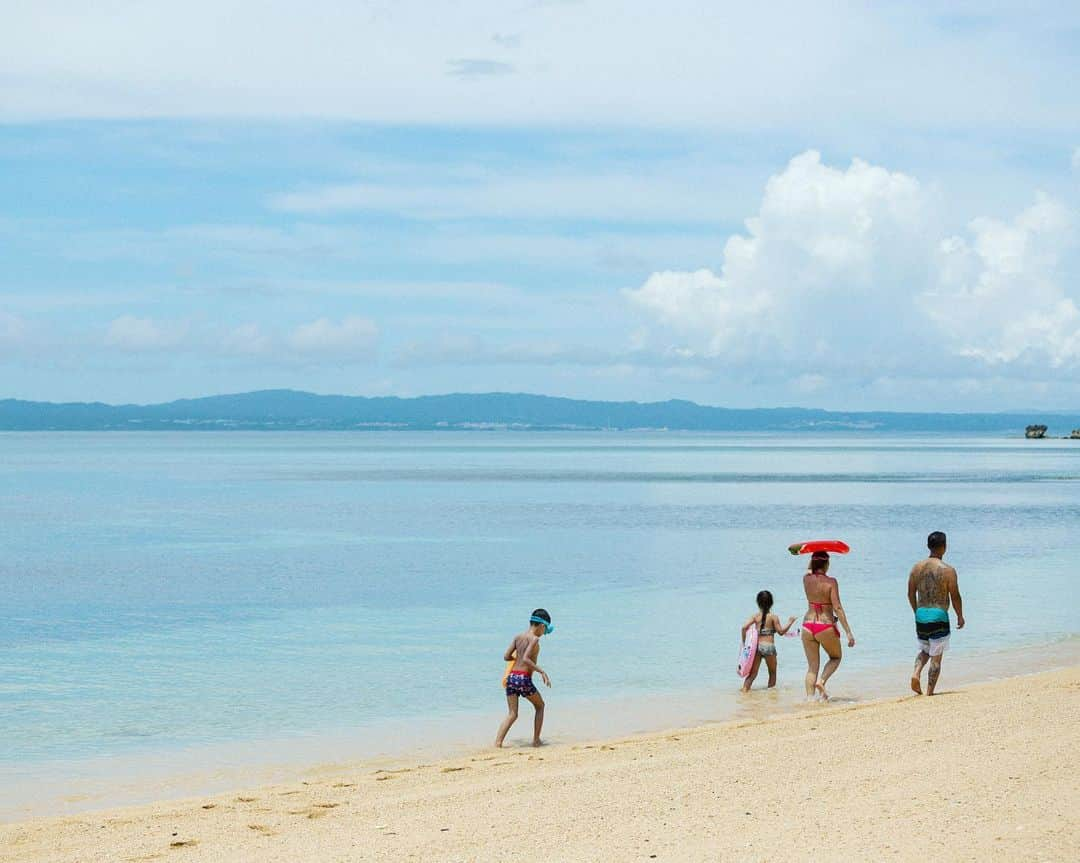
(295, 411)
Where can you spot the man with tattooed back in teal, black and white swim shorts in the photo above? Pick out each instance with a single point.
(930, 587)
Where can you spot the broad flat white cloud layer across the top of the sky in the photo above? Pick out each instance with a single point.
(609, 62)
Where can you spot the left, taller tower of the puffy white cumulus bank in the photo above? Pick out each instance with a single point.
(826, 247)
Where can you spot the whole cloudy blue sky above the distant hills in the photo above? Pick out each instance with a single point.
(831, 205)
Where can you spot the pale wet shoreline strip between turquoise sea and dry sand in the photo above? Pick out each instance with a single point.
(80, 787)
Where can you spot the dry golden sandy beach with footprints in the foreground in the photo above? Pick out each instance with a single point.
(985, 773)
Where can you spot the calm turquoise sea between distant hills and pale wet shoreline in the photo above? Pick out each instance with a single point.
(163, 591)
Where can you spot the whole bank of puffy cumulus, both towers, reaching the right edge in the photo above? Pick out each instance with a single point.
(845, 272)
